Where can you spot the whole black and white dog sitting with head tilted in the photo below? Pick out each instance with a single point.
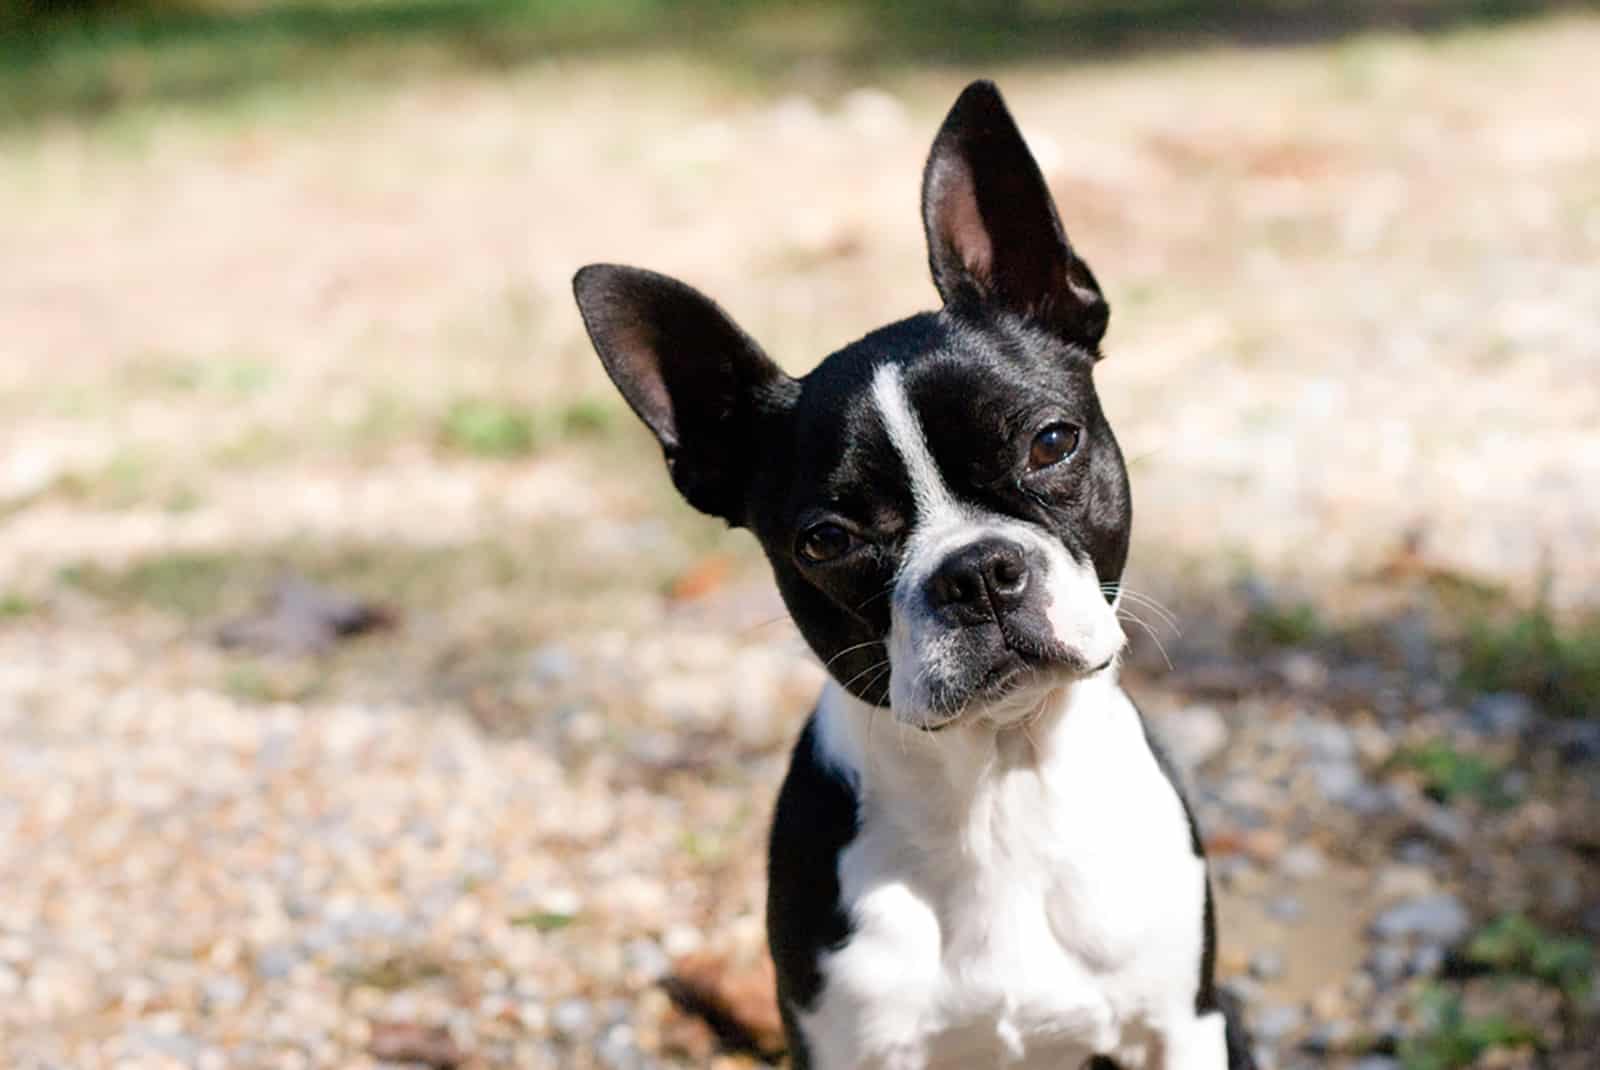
(978, 858)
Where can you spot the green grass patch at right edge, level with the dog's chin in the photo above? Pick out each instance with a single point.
(1554, 663)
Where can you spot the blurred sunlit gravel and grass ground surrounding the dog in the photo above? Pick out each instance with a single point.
(367, 698)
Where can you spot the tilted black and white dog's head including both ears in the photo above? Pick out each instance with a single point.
(943, 503)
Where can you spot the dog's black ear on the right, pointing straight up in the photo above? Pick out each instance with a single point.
(993, 230)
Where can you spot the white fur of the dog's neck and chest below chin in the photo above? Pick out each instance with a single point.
(1022, 896)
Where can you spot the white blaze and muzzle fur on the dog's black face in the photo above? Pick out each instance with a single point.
(922, 652)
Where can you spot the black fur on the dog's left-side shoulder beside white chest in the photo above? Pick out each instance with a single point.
(817, 818)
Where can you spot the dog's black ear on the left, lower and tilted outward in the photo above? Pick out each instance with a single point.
(690, 373)
